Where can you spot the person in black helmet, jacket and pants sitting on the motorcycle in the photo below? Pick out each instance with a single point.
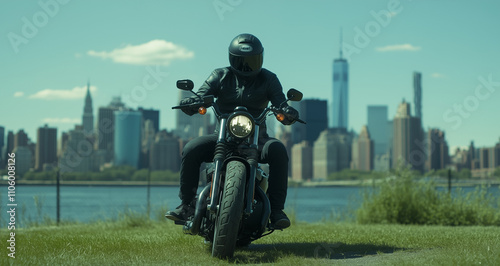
(243, 83)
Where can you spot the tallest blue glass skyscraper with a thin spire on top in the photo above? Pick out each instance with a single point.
(339, 110)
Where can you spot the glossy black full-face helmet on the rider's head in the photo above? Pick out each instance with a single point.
(246, 55)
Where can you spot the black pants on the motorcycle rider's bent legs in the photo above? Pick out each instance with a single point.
(202, 149)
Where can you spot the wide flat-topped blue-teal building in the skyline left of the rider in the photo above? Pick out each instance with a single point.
(127, 137)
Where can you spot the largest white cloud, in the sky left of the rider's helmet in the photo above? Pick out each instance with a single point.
(155, 52)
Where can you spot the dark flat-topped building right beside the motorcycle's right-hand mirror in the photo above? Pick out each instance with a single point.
(314, 112)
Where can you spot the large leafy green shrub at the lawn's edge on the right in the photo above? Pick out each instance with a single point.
(403, 199)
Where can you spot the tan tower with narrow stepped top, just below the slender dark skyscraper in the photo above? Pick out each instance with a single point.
(407, 139)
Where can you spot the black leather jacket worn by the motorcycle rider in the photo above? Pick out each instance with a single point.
(253, 93)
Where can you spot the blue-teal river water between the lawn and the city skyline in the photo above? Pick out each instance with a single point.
(91, 203)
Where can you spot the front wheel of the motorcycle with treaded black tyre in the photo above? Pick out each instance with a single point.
(230, 211)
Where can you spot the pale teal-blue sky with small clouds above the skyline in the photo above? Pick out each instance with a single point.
(137, 50)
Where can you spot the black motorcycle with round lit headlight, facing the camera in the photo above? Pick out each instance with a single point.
(233, 208)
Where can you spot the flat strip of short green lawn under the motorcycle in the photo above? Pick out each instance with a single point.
(162, 243)
